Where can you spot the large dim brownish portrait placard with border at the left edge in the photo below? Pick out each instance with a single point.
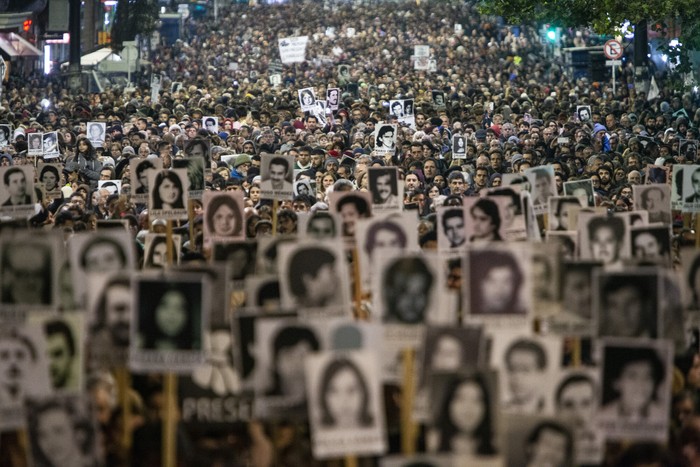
(29, 271)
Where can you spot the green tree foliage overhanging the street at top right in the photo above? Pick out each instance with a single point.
(606, 17)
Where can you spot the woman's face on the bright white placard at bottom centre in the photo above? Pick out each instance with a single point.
(344, 398)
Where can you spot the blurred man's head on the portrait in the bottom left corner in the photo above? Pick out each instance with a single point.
(57, 438)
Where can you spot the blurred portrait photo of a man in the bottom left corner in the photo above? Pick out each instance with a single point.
(62, 431)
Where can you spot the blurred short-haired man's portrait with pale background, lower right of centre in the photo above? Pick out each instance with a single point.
(527, 366)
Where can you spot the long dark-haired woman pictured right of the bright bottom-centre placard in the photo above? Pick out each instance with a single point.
(465, 417)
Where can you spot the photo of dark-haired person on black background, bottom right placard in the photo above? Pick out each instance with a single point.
(635, 389)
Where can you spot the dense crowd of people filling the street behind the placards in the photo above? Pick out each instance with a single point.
(515, 105)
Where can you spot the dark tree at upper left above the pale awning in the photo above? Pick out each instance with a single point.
(131, 18)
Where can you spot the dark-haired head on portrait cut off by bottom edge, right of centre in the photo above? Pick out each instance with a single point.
(549, 443)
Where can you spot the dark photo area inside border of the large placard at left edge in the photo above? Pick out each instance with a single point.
(26, 273)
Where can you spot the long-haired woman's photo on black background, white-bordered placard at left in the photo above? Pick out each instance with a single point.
(169, 318)
